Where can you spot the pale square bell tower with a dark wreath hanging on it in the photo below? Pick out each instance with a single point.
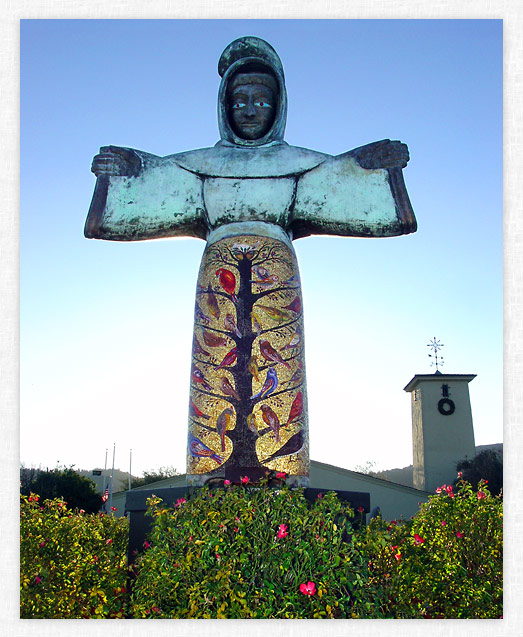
(442, 429)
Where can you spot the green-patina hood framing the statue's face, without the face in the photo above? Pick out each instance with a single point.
(244, 54)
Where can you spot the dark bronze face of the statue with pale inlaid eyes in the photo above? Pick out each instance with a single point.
(251, 110)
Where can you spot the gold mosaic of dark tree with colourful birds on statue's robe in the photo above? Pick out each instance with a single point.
(247, 374)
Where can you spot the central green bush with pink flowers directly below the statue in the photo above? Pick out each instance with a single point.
(245, 552)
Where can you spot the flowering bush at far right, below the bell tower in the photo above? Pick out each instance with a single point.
(447, 562)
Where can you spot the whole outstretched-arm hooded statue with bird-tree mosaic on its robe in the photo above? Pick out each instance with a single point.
(249, 197)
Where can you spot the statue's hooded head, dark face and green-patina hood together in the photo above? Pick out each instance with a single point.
(251, 70)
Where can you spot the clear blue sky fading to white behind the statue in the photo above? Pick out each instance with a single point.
(106, 327)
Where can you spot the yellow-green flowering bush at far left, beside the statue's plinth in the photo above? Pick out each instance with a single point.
(72, 564)
